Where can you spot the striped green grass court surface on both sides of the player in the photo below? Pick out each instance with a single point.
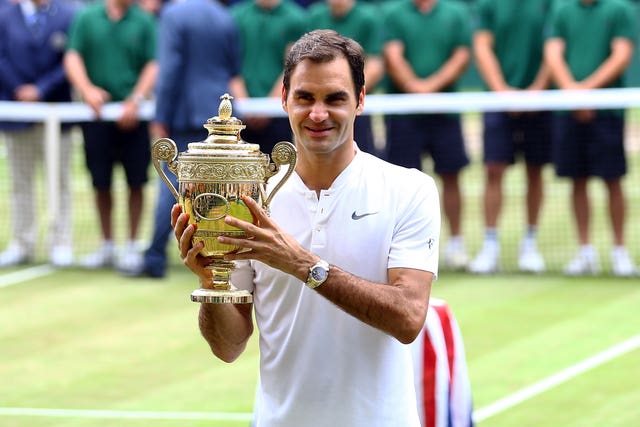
(95, 340)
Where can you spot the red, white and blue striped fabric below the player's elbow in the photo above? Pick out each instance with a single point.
(443, 390)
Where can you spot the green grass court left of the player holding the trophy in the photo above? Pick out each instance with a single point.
(98, 341)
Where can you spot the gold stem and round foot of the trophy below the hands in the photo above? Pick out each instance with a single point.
(223, 291)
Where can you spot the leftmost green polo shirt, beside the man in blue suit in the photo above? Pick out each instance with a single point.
(114, 53)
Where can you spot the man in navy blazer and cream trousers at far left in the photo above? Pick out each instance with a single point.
(32, 41)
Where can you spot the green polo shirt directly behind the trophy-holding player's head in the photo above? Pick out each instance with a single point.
(362, 23)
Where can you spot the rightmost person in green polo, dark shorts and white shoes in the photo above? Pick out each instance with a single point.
(588, 142)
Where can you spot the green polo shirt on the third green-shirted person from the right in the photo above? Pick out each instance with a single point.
(429, 38)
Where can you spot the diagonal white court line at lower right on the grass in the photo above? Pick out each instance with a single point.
(556, 379)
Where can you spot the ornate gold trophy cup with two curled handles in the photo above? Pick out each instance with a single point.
(213, 176)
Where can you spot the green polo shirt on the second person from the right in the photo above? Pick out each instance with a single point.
(518, 28)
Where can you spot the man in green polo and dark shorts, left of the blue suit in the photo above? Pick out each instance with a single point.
(111, 57)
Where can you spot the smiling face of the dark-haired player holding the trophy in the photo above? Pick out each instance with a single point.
(321, 105)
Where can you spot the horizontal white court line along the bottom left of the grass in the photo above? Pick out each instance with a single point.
(140, 415)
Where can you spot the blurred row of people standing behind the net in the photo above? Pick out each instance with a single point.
(183, 54)
